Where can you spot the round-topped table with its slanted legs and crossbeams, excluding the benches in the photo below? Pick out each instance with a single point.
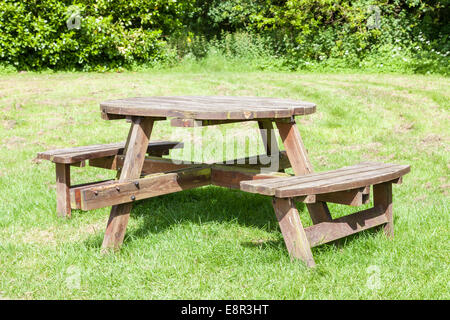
(188, 111)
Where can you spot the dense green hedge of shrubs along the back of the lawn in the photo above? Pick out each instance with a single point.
(391, 35)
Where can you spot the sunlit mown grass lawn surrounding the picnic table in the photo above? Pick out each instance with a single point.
(215, 243)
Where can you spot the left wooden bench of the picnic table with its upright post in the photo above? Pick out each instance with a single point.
(64, 158)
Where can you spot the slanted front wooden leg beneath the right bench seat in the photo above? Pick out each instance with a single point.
(292, 229)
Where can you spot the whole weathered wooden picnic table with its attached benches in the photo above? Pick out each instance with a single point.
(140, 176)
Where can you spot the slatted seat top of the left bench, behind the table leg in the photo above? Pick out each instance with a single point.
(77, 154)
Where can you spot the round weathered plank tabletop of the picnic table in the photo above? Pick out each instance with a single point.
(208, 107)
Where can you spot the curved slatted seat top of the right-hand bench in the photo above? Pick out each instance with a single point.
(357, 176)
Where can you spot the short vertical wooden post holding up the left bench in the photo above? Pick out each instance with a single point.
(63, 207)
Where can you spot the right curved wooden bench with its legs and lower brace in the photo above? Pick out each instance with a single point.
(347, 185)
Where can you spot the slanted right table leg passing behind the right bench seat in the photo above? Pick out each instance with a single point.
(299, 160)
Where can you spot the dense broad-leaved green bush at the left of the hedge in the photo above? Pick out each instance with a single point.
(35, 35)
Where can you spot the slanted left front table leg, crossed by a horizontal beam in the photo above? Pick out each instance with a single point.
(136, 148)
